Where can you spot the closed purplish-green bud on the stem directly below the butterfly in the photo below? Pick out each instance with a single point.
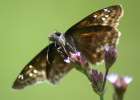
(97, 81)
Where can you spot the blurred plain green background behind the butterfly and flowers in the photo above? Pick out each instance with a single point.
(24, 29)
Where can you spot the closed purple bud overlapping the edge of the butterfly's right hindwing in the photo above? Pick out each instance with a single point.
(110, 56)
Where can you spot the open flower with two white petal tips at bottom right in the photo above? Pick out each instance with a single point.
(120, 83)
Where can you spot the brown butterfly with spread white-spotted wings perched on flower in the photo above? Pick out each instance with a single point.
(89, 37)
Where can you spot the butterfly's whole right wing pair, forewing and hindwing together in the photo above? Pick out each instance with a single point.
(93, 33)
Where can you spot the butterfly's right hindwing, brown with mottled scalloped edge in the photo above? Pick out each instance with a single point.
(92, 42)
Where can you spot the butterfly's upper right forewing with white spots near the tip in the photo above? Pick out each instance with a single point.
(108, 16)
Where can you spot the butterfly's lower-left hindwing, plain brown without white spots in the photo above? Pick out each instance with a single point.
(57, 67)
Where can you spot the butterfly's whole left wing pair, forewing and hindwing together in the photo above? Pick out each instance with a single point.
(47, 65)
